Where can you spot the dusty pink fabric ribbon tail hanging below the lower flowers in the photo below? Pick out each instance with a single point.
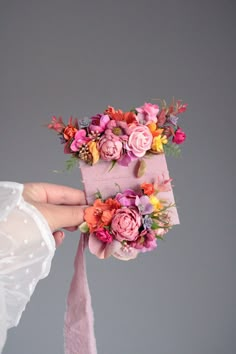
(79, 337)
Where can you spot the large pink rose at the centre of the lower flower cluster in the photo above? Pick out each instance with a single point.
(125, 224)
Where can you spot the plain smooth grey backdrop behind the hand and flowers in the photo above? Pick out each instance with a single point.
(75, 58)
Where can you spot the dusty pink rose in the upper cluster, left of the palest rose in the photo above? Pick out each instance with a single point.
(110, 148)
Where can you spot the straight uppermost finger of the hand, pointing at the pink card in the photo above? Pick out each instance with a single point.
(54, 194)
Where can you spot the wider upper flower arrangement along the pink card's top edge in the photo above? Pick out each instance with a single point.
(121, 137)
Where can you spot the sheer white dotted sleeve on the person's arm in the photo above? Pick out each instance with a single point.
(26, 251)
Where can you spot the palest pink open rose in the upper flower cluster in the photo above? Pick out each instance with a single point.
(140, 140)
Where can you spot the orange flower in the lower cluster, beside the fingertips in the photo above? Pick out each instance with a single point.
(101, 213)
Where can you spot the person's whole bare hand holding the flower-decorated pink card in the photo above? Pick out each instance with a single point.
(62, 207)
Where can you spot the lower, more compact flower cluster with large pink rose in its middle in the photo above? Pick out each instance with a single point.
(130, 222)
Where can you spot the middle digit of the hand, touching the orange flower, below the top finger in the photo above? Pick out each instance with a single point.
(62, 216)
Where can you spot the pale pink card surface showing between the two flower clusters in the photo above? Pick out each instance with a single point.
(107, 181)
